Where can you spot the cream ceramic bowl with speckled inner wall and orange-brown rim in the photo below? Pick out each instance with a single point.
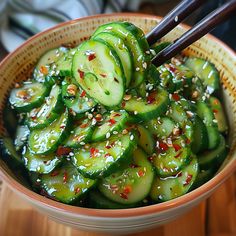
(17, 67)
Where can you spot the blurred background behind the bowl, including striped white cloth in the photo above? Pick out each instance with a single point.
(21, 19)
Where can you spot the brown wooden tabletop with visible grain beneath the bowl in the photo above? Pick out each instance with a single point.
(214, 217)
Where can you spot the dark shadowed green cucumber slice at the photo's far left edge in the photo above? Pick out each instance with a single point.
(9, 153)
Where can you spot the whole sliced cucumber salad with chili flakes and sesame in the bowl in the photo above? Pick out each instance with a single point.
(100, 126)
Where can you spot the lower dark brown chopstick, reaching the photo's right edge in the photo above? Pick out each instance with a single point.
(203, 27)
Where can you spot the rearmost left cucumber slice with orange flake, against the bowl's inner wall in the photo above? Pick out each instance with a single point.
(46, 64)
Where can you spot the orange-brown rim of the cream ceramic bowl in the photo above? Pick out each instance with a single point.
(119, 213)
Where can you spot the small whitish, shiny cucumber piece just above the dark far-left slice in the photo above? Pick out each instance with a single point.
(22, 133)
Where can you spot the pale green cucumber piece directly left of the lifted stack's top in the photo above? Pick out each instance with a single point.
(64, 63)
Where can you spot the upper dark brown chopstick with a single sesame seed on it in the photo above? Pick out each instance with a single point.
(173, 18)
